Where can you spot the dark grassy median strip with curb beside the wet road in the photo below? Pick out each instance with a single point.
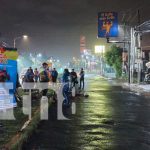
(10, 136)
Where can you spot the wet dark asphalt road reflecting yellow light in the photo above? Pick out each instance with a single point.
(111, 118)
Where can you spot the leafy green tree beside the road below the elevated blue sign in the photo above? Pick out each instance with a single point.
(113, 58)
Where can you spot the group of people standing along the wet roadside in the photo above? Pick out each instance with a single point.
(46, 75)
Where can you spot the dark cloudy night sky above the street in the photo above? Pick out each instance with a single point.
(54, 27)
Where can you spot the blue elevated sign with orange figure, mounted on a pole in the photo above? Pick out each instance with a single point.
(107, 24)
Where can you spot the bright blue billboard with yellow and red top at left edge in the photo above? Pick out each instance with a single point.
(8, 74)
